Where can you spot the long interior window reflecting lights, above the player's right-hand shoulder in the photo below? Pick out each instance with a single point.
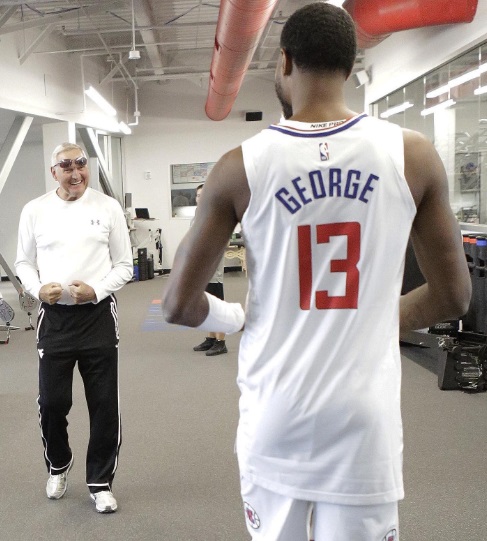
(449, 106)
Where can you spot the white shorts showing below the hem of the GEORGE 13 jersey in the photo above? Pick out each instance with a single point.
(272, 517)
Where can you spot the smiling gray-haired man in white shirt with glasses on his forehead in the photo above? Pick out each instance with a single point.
(73, 253)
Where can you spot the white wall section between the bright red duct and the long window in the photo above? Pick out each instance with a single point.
(405, 56)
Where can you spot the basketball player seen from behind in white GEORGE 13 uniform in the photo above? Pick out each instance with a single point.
(327, 200)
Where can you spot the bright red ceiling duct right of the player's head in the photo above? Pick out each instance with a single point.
(377, 19)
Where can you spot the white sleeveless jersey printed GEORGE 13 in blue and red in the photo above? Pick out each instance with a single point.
(326, 231)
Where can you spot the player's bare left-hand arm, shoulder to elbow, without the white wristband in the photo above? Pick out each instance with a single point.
(222, 204)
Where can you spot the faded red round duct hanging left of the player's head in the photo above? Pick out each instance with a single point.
(239, 29)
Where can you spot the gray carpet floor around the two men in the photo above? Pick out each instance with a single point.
(178, 477)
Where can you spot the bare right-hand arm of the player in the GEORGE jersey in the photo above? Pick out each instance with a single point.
(437, 242)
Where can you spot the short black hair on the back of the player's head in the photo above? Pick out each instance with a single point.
(321, 37)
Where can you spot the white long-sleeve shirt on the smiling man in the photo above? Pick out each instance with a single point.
(61, 241)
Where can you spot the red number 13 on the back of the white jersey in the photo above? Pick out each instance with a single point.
(324, 301)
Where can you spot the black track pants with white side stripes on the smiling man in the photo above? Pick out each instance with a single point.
(98, 367)
